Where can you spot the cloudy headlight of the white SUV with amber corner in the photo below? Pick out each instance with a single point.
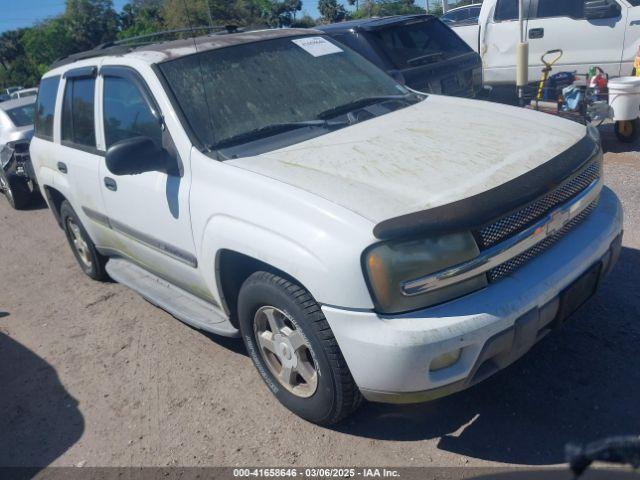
(388, 265)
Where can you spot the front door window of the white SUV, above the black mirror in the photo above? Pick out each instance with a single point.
(127, 113)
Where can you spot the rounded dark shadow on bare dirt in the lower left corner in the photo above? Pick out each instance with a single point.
(39, 419)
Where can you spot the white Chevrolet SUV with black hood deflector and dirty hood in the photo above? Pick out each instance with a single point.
(363, 239)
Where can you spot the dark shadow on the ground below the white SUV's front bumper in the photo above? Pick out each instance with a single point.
(579, 384)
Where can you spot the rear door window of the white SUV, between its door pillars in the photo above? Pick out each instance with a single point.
(77, 112)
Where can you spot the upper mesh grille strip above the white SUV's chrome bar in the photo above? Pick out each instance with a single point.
(514, 222)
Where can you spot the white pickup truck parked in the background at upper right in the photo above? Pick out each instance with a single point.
(590, 32)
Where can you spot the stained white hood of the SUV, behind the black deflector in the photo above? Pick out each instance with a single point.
(433, 153)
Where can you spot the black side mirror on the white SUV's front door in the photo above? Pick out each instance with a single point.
(136, 155)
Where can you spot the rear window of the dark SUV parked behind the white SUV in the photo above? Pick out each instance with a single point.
(413, 44)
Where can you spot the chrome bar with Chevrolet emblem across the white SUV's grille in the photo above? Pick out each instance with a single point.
(546, 227)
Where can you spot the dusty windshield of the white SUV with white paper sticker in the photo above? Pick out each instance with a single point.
(274, 86)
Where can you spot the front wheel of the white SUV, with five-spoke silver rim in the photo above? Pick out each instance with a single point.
(294, 350)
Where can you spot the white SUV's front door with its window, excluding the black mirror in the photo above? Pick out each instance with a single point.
(148, 212)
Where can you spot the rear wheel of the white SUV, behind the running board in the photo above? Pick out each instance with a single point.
(83, 248)
